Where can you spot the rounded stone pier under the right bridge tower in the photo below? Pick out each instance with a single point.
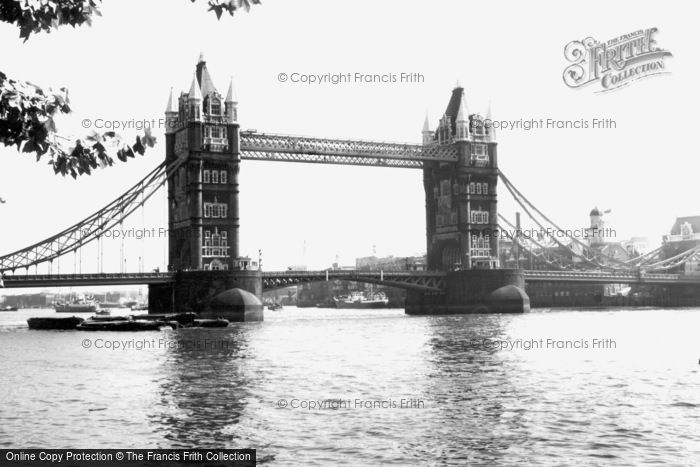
(474, 291)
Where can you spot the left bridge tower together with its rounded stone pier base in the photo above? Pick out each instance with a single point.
(202, 134)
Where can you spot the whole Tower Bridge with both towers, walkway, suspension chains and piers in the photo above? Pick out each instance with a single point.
(204, 149)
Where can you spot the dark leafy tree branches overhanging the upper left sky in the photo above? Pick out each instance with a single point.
(27, 111)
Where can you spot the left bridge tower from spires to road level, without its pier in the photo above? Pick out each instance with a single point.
(203, 132)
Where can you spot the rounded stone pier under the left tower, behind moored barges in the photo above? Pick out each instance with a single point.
(233, 295)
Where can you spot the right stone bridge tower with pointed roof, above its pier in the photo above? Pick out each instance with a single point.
(461, 201)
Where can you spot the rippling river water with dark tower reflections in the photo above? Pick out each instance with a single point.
(369, 387)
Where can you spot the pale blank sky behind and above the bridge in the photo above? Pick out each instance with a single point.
(507, 53)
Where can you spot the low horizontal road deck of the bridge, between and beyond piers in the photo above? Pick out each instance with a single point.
(427, 281)
